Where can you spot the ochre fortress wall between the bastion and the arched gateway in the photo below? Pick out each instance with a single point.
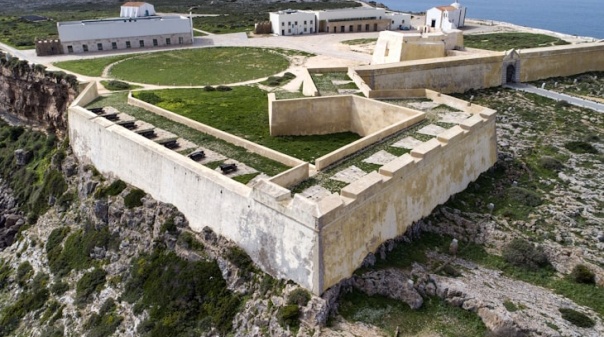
(447, 75)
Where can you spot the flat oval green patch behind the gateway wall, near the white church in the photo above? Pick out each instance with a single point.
(507, 41)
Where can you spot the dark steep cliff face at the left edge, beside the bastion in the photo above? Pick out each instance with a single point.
(31, 95)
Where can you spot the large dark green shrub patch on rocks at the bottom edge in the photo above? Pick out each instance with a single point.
(182, 297)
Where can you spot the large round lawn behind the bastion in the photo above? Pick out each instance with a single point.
(205, 66)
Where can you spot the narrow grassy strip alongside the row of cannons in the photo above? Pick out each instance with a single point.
(258, 162)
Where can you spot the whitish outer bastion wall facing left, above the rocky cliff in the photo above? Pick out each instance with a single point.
(278, 232)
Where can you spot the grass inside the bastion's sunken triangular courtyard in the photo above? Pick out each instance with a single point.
(244, 113)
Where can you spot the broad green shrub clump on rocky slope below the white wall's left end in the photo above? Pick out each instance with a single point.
(77, 248)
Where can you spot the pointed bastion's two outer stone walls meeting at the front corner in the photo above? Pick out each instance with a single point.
(315, 244)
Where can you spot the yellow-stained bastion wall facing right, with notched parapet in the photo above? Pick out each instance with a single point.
(380, 206)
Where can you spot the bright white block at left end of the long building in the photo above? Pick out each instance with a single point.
(291, 22)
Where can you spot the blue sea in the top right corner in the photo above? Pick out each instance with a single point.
(575, 17)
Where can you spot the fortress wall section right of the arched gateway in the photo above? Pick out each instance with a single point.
(541, 63)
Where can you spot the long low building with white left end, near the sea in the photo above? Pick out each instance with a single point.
(346, 20)
